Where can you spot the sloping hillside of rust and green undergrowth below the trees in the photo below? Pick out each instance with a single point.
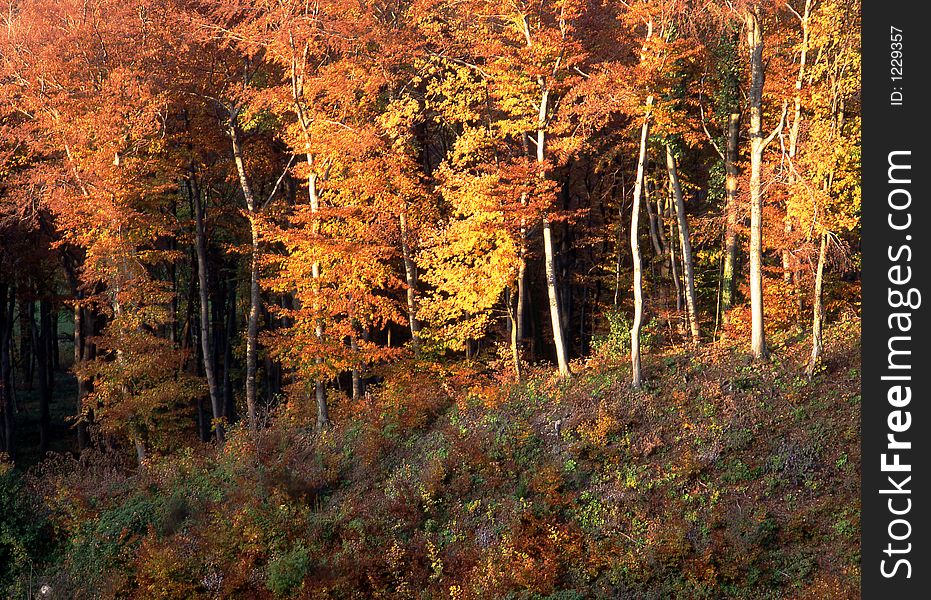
(721, 478)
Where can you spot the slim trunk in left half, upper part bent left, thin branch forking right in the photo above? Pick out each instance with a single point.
(255, 291)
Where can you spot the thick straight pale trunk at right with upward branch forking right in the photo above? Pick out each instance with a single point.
(758, 145)
